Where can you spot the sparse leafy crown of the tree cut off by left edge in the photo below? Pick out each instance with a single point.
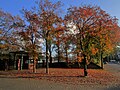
(8, 36)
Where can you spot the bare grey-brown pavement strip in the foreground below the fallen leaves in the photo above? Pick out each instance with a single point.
(31, 84)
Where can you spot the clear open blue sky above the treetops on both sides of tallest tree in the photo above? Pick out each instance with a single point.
(110, 6)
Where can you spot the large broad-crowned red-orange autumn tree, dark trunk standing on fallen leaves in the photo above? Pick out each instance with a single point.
(85, 19)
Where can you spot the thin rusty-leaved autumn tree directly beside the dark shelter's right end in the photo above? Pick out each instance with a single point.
(28, 32)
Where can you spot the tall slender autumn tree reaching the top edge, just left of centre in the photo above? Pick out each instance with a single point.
(45, 19)
